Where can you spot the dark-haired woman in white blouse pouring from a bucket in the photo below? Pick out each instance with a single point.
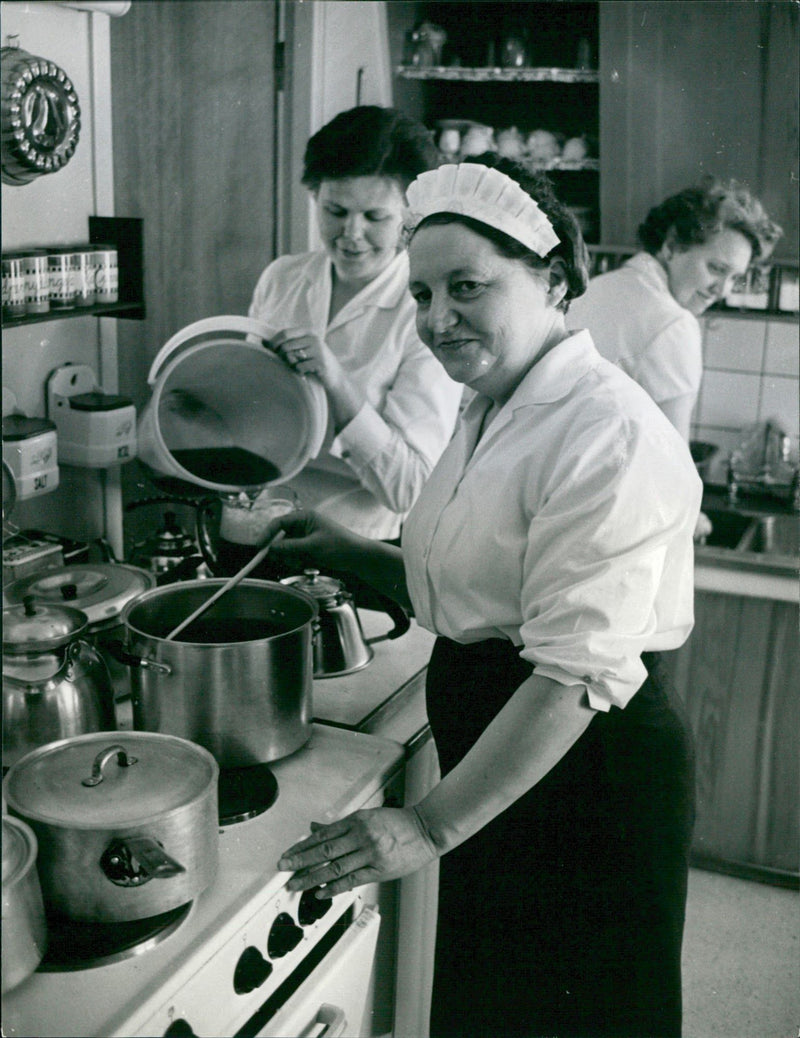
(345, 315)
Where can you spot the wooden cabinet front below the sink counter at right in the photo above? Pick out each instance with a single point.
(738, 677)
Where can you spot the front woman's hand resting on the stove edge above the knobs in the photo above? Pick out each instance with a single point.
(369, 846)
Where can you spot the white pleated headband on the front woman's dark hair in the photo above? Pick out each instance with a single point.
(486, 195)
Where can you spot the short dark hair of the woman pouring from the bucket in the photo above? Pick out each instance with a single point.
(370, 142)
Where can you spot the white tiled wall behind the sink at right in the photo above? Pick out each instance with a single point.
(752, 372)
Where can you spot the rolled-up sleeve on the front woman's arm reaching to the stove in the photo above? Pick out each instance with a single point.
(606, 564)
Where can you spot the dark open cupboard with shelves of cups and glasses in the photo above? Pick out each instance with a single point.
(556, 87)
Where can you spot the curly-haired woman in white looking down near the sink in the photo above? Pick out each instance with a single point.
(644, 317)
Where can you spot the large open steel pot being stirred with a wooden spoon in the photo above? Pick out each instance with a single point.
(239, 681)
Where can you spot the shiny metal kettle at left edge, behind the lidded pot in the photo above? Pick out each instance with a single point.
(56, 685)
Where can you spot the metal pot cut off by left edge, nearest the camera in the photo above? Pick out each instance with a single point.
(24, 925)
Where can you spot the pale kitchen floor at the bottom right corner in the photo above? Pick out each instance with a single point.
(741, 960)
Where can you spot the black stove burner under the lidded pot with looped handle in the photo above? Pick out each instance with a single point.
(84, 946)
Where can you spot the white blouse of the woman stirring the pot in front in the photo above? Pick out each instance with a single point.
(567, 528)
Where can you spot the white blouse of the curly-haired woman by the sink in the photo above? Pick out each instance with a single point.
(638, 323)
